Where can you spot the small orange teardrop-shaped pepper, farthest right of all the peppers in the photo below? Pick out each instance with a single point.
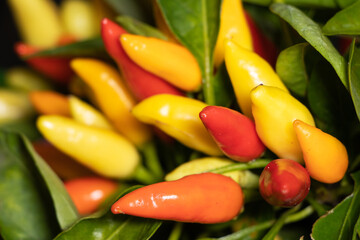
(325, 156)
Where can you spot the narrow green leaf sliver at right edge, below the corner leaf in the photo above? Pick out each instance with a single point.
(354, 77)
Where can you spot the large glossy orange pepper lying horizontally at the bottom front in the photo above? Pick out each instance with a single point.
(199, 198)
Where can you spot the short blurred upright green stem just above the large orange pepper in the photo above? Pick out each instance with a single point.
(152, 160)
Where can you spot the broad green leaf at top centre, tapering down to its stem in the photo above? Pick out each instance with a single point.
(195, 23)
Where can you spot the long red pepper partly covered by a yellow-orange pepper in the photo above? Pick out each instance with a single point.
(142, 83)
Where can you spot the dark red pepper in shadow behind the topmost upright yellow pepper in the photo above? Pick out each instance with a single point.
(261, 43)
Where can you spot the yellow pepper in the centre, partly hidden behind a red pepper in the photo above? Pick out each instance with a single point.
(178, 117)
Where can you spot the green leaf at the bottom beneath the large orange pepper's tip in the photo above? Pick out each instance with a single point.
(107, 226)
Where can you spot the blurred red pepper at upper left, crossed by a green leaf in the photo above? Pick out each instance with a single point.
(56, 68)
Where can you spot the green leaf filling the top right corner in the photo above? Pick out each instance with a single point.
(344, 22)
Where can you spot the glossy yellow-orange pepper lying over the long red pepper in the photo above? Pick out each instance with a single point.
(168, 60)
